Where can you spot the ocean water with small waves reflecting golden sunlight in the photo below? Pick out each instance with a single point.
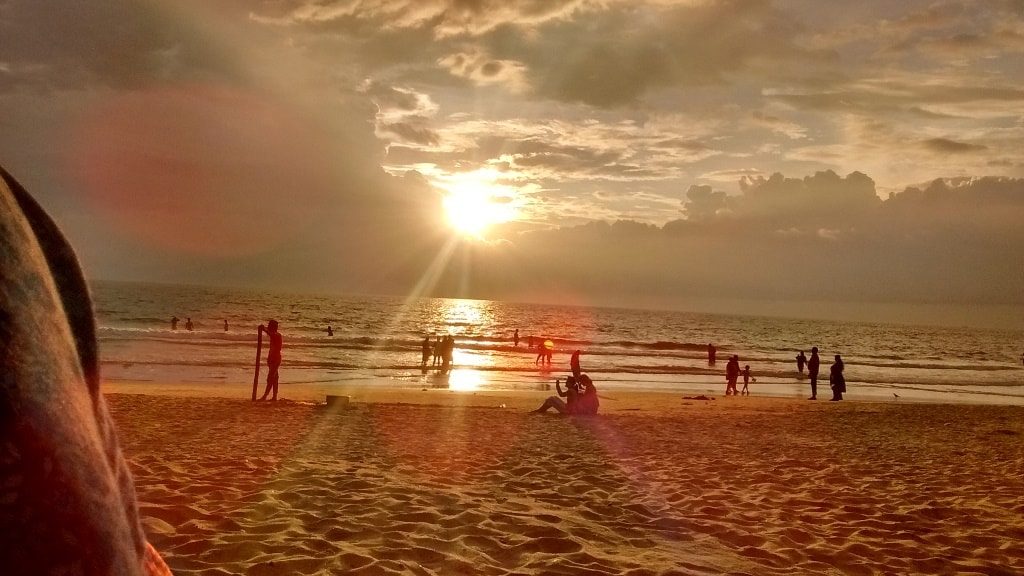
(378, 340)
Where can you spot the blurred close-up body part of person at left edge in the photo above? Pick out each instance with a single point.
(67, 500)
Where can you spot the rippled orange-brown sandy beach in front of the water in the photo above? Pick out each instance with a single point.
(436, 482)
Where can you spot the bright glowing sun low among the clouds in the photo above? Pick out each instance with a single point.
(476, 201)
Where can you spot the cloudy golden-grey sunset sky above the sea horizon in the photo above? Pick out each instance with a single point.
(778, 157)
